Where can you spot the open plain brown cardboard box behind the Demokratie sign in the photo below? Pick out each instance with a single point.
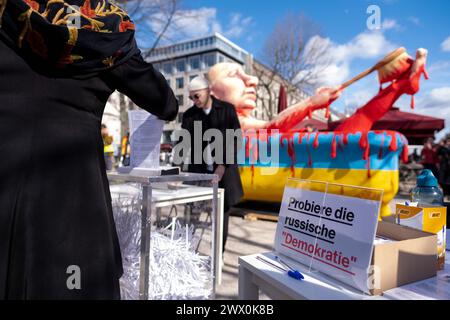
(411, 257)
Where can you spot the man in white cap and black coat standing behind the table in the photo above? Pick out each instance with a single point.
(215, 114)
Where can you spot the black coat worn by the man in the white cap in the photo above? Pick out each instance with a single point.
(222, 117)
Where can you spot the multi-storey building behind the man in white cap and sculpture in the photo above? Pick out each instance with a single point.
(181, 62)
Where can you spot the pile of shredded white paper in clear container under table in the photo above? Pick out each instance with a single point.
(177, 272)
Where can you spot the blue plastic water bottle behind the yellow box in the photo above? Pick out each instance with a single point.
(427, 192)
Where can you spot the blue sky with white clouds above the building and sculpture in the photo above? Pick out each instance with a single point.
(411, 24)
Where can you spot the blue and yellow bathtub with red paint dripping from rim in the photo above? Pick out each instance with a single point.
(369, 160)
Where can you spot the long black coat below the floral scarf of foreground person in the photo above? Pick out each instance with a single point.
(55, 203)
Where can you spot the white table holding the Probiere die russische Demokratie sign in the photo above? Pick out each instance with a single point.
(255, 275)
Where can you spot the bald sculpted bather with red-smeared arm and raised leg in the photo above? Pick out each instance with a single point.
(230, 83)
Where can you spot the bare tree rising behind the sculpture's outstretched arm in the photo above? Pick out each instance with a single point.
(295, 57)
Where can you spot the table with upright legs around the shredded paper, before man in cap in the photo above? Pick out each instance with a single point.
(155, 197)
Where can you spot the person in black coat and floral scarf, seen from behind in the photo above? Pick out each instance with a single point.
(57, 234)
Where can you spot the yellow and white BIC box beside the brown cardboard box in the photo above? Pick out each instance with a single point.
(433, 220)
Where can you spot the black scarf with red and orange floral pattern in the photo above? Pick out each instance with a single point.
(75, 36)
